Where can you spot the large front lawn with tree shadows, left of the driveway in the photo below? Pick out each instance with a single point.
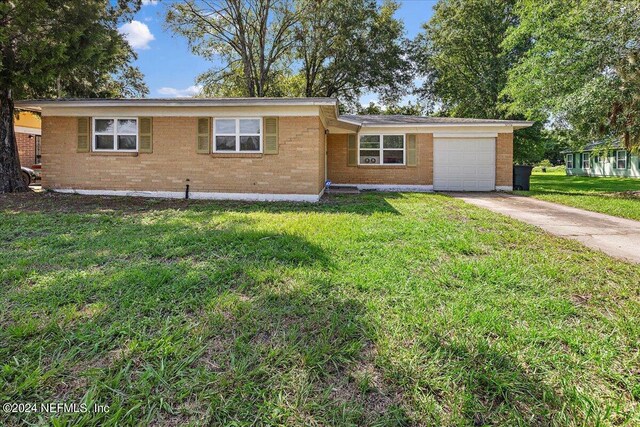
(377, 309)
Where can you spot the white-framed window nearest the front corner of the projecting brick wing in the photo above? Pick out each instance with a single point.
(238, 135)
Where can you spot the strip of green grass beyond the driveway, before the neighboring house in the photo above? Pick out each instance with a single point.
(613, 196)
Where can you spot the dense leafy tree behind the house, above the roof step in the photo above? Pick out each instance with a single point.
(346, 47)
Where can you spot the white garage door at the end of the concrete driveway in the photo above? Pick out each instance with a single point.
(464, 164)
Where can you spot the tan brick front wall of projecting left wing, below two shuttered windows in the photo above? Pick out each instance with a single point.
(294, 170)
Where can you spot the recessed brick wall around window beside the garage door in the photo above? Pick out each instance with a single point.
(340, 173)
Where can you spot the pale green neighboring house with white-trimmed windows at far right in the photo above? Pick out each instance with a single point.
(602, 159)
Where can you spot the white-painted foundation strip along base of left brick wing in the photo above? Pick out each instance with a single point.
(196, 195)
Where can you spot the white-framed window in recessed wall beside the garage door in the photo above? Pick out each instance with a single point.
(381, 150)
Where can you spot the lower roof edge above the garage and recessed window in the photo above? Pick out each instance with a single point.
(375, 120)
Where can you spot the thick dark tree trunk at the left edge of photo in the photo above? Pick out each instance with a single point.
(10, 175)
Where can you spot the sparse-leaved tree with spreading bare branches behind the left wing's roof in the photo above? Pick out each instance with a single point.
(251, 36)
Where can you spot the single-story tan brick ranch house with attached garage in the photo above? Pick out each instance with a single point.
(262, 149)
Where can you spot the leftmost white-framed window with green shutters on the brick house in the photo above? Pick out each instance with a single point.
(115, 134)
